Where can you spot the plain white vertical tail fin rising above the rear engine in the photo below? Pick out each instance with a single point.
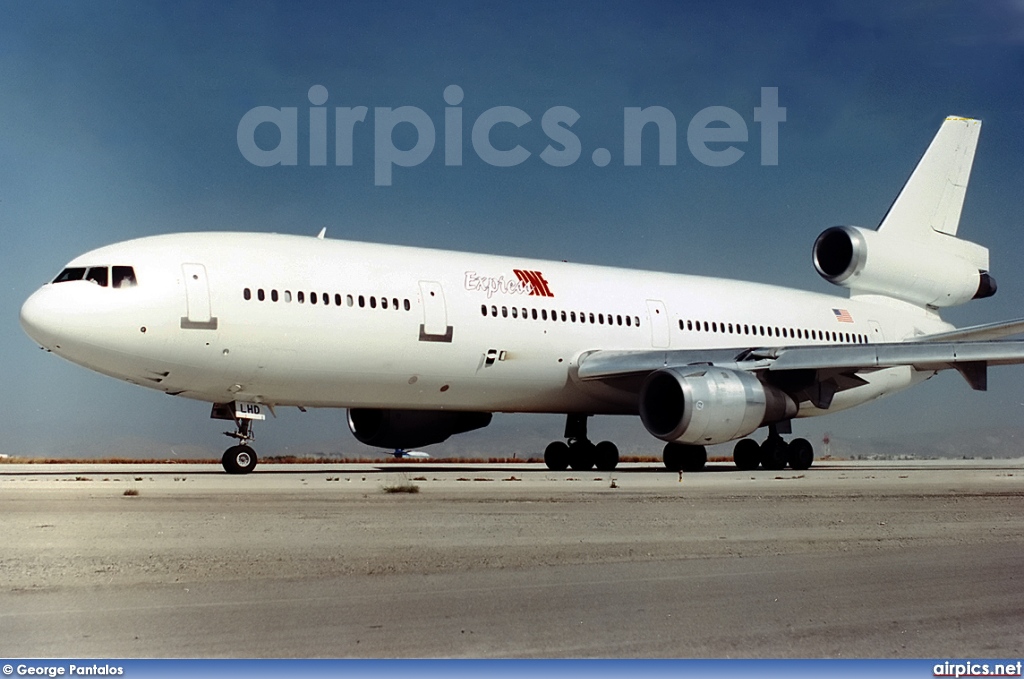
(933, 197)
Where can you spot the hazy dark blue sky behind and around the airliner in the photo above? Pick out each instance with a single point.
(119, 120)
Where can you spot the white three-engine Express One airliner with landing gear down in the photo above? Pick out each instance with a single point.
(421, 345)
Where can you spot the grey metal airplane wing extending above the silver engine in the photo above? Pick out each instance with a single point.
(812, 373)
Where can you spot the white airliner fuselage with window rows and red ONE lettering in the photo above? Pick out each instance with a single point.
(232, 317)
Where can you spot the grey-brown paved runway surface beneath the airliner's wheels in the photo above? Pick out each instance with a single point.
(886, 560)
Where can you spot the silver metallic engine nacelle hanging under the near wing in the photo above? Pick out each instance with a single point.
(710, 406)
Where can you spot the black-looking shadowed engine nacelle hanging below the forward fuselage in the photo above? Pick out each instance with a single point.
(405, 430)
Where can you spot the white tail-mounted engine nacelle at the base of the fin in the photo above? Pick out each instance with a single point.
(942, 272)
